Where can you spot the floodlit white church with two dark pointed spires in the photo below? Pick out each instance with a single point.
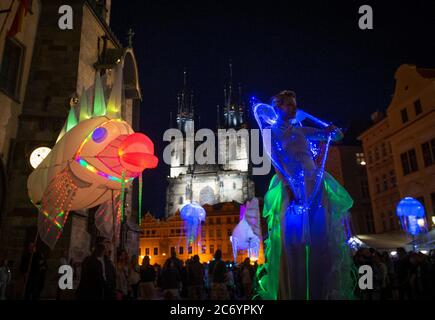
(216, 182)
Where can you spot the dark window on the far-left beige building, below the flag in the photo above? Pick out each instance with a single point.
(10, 69)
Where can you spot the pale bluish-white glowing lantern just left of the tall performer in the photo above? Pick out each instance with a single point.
(247, 234)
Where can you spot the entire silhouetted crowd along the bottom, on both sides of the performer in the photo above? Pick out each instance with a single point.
(398, 276)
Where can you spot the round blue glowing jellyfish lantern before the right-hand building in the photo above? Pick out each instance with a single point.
(412, 216)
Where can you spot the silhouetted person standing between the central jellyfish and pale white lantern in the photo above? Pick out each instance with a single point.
(217, 273)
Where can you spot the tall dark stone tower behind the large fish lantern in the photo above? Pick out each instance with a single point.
(62, 64)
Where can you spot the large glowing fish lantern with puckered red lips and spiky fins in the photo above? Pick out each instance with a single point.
(91, 164)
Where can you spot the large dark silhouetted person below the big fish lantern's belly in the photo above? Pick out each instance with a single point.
(92, 279)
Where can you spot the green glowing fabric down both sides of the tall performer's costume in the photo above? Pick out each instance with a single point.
(339, 202)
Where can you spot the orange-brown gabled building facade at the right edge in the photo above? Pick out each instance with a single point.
(401, 148)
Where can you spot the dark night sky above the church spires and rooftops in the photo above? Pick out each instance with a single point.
(340, 73)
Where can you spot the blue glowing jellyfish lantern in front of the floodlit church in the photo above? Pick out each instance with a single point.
(192, 214)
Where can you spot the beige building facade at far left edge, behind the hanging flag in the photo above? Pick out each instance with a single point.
(15, 59)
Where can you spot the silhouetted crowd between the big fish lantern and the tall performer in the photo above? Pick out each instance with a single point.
(101, 279)
